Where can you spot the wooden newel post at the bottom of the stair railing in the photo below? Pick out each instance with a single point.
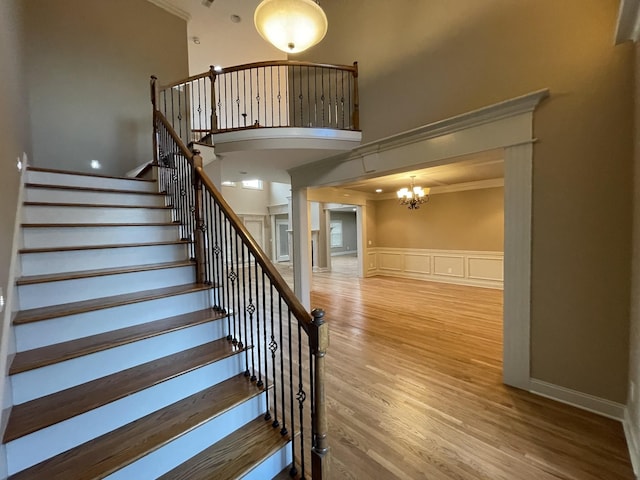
(320, 445)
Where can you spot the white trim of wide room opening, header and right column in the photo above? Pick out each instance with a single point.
(506, 125)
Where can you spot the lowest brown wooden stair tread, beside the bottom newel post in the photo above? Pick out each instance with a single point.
(233, 456)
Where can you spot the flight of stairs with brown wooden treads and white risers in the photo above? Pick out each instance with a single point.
(123, 369)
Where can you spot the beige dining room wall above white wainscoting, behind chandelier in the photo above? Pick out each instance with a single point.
(469, 220)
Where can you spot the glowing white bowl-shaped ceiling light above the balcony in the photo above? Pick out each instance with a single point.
(291, 25)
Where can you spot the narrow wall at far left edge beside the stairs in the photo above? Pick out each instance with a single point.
(14, 135)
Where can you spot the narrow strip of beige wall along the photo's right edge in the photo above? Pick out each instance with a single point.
(634, 337)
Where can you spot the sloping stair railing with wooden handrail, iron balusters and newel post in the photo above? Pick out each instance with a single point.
(186, 166)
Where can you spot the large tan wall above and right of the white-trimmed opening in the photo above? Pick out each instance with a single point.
(425, 61)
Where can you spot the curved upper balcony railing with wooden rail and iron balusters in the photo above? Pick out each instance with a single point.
(262, 95)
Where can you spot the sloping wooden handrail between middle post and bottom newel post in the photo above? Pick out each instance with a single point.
(288, 296)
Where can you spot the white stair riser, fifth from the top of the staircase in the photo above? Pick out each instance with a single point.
(78, 260)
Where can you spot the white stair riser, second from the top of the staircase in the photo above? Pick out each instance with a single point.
(55, 195)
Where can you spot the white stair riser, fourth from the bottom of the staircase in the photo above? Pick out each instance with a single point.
(53, 378)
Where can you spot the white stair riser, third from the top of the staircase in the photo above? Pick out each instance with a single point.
(56, 214)
